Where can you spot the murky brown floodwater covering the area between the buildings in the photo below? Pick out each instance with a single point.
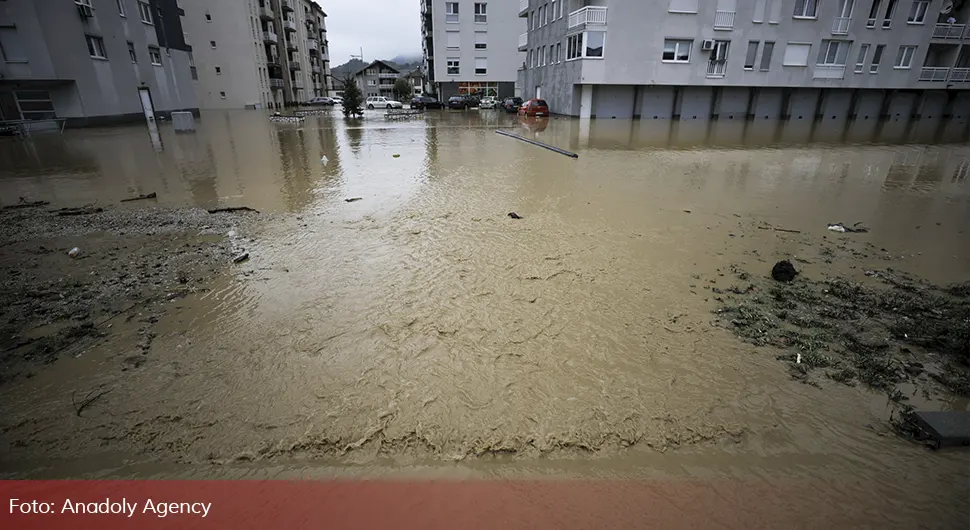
(421, 331)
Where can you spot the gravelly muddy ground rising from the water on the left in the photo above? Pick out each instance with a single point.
(130, 264)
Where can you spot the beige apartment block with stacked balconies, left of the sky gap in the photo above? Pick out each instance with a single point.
(258, 53)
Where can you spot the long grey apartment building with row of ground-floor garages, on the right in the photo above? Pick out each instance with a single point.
(754, 59)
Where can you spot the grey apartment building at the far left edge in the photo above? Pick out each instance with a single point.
(93, 62)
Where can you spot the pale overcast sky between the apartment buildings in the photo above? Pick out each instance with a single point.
(384, 28)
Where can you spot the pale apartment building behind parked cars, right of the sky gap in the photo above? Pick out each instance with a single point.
(470, 46)
